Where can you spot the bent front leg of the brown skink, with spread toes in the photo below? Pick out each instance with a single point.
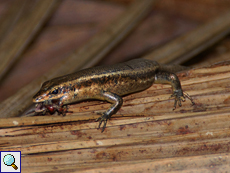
(116, 101)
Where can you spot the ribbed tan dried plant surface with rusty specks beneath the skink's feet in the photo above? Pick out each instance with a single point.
(145, 132)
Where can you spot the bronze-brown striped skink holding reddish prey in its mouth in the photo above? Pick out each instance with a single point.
(106, 83)
